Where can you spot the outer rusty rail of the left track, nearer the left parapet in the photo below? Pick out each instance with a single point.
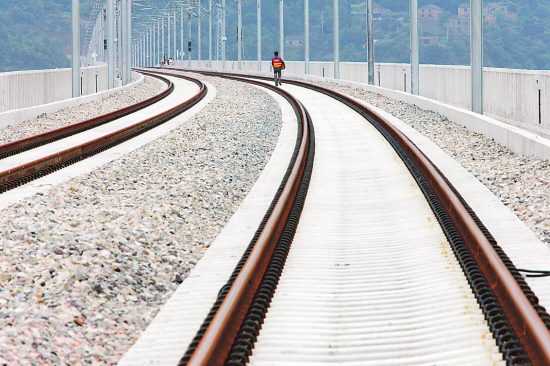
(35, 141)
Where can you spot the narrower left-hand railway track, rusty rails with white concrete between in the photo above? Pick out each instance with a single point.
(28, 159)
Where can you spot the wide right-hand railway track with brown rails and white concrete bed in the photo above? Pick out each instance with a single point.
(361, 199)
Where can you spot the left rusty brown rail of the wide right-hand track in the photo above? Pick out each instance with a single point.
(216, 342)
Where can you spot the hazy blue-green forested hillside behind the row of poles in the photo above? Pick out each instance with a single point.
(36, 34)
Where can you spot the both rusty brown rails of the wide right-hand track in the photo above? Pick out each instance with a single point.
(517, 322)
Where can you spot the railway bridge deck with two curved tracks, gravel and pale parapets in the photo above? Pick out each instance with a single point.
(205, 216)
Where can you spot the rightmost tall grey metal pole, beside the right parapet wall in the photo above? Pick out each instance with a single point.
(476, 44)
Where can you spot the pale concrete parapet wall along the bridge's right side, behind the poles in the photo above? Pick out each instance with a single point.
(517, 97)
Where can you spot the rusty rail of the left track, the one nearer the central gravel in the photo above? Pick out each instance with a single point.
(24, 173)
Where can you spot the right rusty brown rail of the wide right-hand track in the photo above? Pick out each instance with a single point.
(526, 322)
